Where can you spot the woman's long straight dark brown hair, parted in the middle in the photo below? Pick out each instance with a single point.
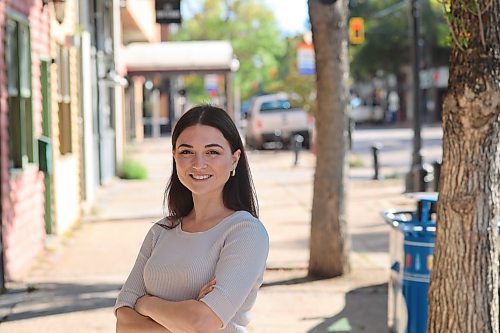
(238, 193)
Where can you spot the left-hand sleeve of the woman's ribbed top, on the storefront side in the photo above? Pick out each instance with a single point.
(134, 286)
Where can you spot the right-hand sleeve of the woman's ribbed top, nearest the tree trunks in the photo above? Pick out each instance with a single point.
(239, 269)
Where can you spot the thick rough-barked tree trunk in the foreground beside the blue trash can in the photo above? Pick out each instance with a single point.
(463, 294)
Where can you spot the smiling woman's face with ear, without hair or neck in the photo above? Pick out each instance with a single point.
(204, 160)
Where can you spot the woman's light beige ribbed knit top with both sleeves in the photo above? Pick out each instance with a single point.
(174, 265)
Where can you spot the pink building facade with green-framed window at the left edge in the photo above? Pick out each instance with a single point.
(25, 44)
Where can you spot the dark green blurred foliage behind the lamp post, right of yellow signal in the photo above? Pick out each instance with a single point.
(387, 32)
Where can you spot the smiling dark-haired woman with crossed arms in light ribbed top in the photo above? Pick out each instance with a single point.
(199, 269)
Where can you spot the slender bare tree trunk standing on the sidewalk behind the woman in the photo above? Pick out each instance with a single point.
(329, 242)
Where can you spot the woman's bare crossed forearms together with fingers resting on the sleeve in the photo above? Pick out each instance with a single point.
(153, 314)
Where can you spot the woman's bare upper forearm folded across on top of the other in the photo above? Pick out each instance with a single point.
(183, 316)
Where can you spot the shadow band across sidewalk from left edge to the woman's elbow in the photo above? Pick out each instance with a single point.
(57, 298)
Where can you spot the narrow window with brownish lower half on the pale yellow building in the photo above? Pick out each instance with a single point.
(64, 101)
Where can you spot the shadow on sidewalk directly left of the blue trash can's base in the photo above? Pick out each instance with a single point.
(365, 311)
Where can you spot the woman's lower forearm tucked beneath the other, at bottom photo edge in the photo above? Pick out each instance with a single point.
(129, 321)
